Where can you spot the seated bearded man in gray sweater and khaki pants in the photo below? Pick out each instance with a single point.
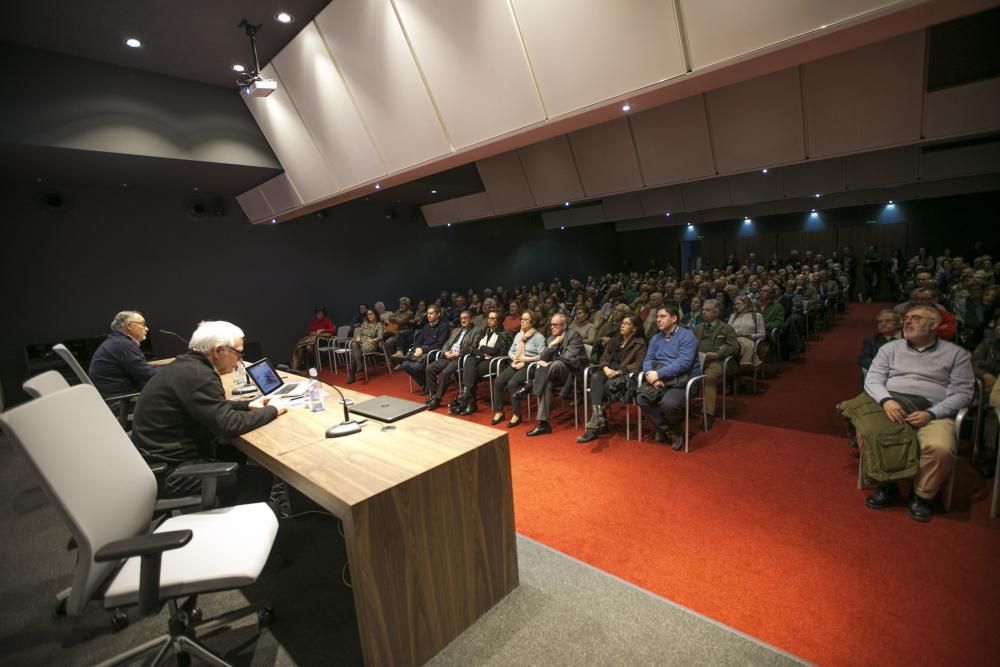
(921, 381)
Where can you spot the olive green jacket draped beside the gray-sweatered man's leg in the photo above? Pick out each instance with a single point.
(889, 451)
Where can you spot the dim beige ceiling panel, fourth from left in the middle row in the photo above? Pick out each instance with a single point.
(673, 143)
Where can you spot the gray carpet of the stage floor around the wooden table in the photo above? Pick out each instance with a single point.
(563, 613)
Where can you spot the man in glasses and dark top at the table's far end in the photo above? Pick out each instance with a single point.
(118, 367)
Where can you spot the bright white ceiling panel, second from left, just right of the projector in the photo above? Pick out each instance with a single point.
(314, 84)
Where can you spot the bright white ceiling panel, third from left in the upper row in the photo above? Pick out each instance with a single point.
(377, 65)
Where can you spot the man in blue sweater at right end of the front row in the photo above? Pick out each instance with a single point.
(671, 358)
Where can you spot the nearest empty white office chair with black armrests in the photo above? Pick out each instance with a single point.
(105, 493)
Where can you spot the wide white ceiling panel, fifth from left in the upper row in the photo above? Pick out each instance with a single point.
(586, 51)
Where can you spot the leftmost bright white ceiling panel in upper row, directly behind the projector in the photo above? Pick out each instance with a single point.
(291, 142)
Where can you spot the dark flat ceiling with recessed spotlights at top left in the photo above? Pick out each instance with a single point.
(196, 40)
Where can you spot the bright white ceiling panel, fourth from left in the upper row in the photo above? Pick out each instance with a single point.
(471, 57)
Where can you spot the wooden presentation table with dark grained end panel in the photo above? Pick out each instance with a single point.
(428, 518)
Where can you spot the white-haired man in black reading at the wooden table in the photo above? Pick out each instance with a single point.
(182, 414)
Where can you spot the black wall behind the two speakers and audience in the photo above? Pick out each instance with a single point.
(67, 271)
